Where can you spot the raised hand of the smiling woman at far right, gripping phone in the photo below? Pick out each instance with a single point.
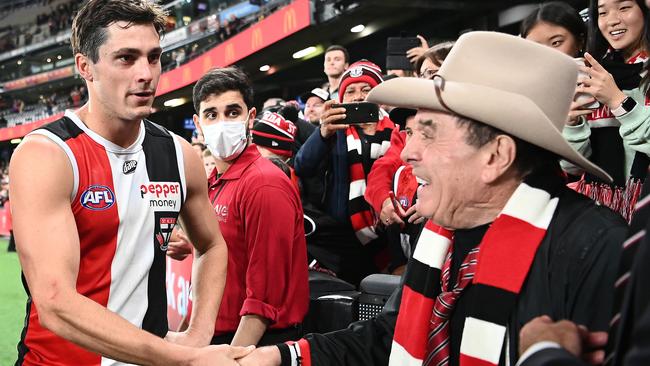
(599, 83)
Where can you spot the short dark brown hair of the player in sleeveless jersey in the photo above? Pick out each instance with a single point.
(90, 23)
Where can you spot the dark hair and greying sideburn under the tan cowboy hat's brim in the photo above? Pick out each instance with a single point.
(529, 159)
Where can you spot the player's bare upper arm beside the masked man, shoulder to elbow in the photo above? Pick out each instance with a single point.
(197, 215)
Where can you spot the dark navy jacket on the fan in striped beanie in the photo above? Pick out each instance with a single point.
(333, 150)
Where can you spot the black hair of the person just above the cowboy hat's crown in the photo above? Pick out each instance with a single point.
(560, 14)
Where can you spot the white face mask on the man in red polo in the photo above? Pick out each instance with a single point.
(226, 139)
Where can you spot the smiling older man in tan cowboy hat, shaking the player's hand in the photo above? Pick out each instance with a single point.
(506, 240)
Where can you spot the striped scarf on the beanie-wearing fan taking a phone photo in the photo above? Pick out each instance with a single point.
(361, 215)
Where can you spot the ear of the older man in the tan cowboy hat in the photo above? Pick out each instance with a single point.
(499, 156)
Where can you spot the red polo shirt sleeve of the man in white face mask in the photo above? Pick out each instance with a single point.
(270, 218)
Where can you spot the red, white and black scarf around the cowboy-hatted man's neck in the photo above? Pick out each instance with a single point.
(507, 252)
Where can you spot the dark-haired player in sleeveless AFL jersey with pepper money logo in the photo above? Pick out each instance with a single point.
(92, 243)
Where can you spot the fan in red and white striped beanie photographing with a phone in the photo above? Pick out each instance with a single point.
(350, 149)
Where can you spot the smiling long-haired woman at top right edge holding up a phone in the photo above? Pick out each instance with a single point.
(614, 136)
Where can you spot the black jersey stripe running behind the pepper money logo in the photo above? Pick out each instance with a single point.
(162, 166)
